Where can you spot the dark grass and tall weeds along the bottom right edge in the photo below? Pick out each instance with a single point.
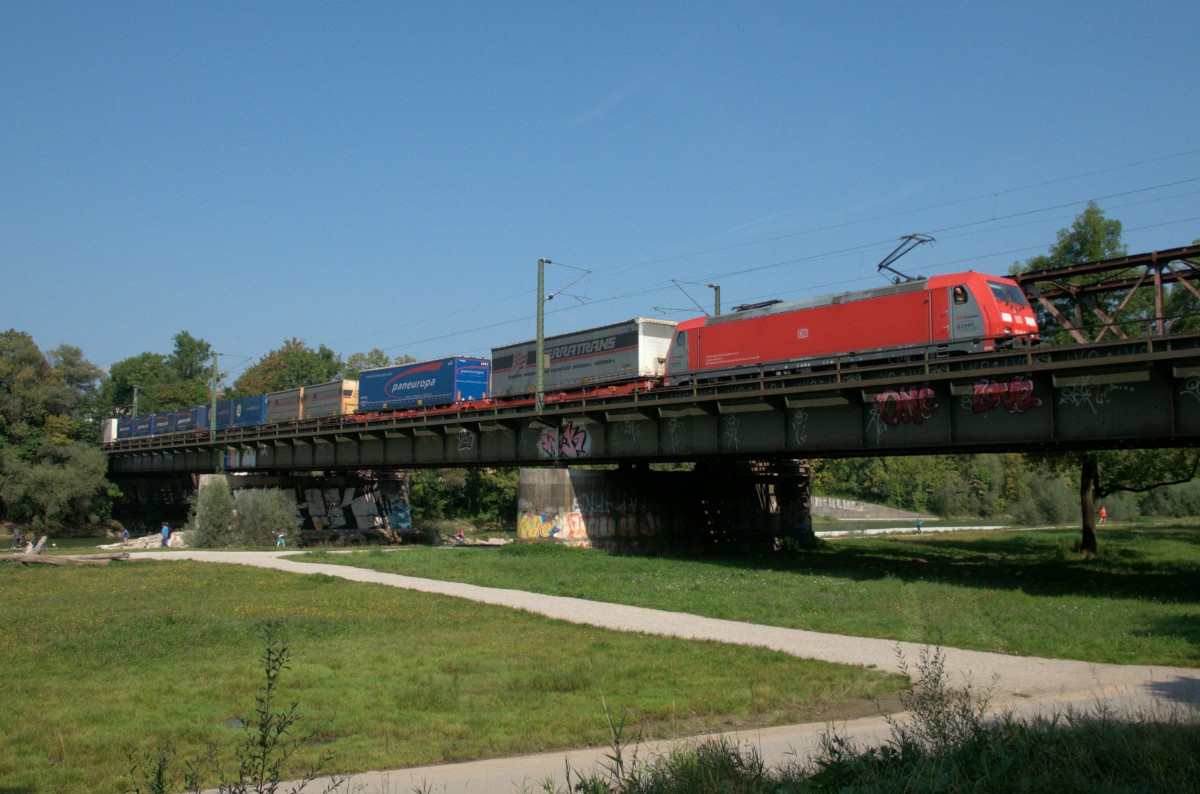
(945, 743)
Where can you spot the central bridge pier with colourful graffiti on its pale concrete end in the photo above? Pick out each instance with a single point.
(717, 508)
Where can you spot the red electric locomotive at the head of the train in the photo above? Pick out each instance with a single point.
(951, 315)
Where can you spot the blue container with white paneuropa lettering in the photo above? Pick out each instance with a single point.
(428, 384)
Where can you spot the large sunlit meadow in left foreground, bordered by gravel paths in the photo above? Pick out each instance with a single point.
(151, 654)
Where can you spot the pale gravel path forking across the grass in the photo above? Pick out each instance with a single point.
(1022, 683)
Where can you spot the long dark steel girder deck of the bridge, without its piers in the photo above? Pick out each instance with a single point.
(1120, 394)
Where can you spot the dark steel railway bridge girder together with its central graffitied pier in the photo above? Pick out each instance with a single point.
(749, 437)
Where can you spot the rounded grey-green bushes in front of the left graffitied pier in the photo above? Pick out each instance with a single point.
(250, 518)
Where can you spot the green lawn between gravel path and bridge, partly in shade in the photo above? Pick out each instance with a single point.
(1010, 592)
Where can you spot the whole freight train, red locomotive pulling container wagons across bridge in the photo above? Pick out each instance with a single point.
(935, 317)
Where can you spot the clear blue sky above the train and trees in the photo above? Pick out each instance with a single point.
(388, 175)
